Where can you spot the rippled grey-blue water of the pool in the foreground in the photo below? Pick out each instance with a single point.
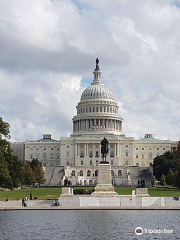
(82, 224)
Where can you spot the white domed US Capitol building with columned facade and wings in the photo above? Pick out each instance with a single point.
(77, 157)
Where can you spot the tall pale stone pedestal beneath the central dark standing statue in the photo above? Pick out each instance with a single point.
(104, 186)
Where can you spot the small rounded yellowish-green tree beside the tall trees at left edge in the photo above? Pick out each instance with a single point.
(28, 177)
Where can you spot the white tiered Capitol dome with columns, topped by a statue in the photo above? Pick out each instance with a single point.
(97, 111)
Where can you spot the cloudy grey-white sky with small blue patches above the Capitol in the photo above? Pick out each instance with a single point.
(47, 57)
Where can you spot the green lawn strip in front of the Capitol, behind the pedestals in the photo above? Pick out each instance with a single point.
(54, 192)
